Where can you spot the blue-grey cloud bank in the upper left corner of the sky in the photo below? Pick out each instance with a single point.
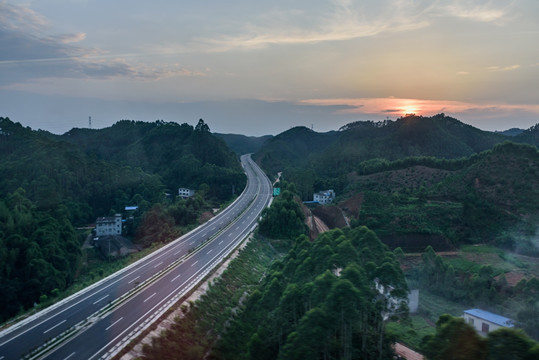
(28, 52)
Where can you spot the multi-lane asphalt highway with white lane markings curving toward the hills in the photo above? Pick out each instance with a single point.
(98, 321)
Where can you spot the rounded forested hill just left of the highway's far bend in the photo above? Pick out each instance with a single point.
(183, 155)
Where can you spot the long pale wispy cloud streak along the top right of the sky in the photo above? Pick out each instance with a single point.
(347, 20)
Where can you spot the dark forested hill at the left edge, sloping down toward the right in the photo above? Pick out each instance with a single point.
(54, 173)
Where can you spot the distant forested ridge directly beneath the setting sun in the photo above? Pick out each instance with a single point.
(335, 153)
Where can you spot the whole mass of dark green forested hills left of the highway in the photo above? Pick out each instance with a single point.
(51, 183)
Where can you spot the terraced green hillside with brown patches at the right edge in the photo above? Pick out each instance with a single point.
(489, 197)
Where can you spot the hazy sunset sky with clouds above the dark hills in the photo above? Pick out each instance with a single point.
(256, 68)
